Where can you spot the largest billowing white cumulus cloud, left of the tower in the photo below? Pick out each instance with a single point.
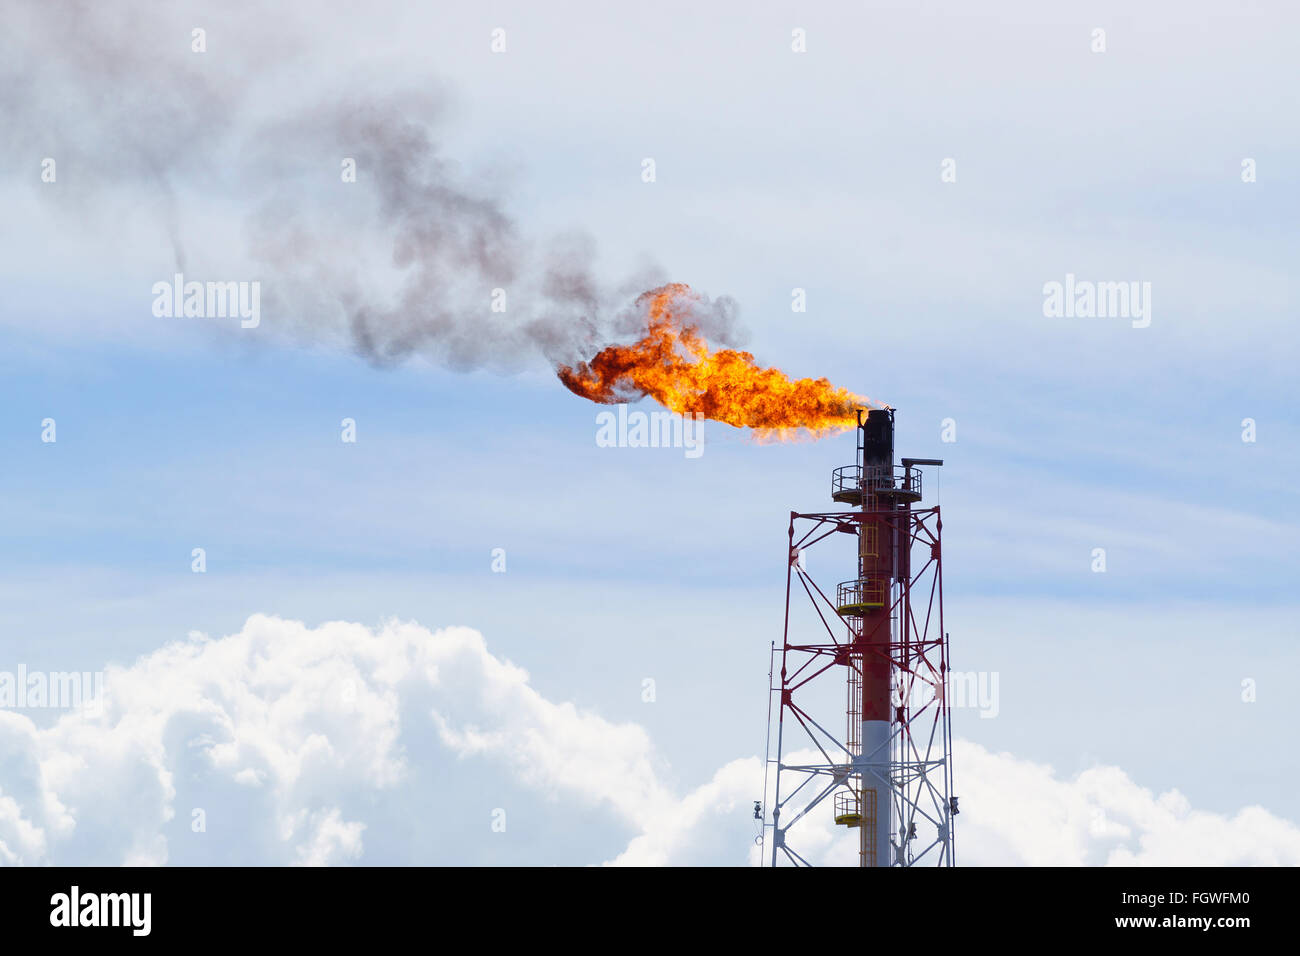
(284, 736)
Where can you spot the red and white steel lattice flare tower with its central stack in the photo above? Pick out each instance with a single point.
(885, 768)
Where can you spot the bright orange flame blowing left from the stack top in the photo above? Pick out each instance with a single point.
(675, 366)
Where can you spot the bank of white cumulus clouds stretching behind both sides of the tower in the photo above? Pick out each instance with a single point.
(291, 742)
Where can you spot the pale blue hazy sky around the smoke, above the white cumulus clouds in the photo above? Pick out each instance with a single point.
(775, 171)
